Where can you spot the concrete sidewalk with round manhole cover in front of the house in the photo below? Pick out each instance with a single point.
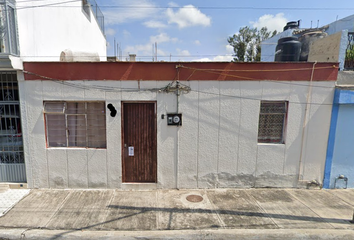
(253, 212)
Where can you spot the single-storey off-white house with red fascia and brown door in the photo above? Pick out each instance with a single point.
(175, 125)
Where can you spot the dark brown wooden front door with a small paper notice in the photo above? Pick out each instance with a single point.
(139, 158)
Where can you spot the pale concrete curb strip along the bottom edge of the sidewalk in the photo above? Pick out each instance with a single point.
(243, 234)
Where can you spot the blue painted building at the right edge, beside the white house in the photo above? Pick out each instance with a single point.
(339, 168)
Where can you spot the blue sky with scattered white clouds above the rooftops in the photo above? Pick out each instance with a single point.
(197, 30)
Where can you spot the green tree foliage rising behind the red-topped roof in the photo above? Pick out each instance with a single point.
(246, 43)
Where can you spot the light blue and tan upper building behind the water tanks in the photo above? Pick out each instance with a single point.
(337, 37)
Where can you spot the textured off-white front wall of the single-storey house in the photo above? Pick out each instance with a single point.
(216, 146)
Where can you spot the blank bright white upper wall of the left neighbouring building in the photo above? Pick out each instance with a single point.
(44, 32)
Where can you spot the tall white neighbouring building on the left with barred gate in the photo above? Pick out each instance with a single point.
(47, 30)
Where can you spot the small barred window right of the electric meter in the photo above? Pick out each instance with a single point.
(272, 122)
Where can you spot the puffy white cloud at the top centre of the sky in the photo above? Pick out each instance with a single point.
(188, 16)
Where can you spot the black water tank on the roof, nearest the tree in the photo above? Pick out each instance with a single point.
(288, 50)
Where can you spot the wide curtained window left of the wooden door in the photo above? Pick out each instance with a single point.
(75, 124)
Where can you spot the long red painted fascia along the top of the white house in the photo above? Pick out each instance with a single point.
(168, 71)
